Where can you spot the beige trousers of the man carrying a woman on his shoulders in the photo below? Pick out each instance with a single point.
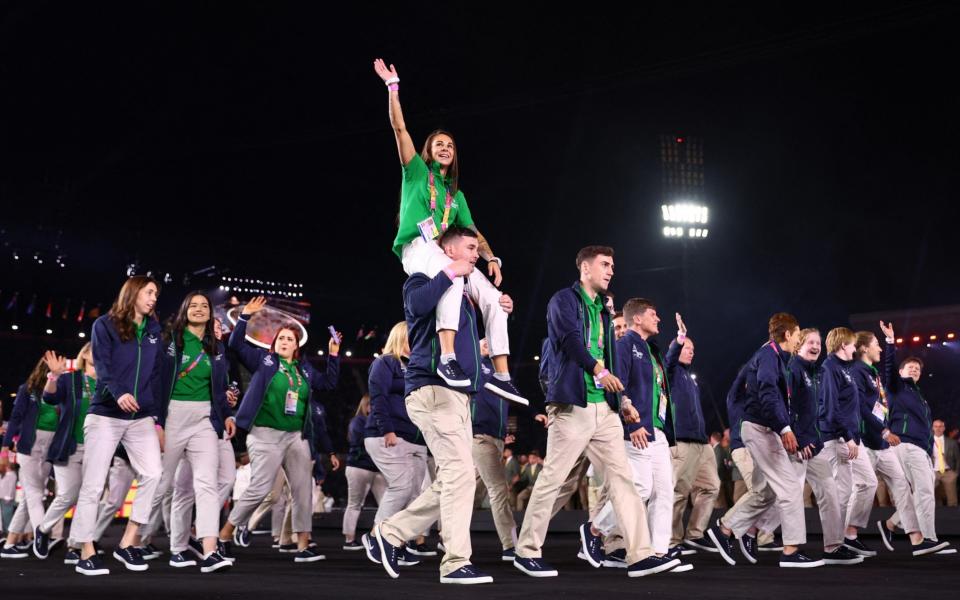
(443, 416)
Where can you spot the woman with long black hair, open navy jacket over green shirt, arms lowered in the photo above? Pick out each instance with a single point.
(194, 415)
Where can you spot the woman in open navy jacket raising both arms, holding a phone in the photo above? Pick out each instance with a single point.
(275, 411)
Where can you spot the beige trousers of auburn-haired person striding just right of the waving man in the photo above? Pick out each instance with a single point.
(776, 482)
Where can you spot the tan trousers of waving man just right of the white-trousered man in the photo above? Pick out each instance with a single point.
(694, 470)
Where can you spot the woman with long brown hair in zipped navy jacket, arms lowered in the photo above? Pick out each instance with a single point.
(125, 408)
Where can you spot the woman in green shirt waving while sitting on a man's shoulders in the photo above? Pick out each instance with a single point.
(431, 201)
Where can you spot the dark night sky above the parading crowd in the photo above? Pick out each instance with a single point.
(256, 137)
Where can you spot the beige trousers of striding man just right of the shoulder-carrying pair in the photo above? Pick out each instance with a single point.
(597, 430)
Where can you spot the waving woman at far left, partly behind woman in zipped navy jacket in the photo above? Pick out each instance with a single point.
(71, 393)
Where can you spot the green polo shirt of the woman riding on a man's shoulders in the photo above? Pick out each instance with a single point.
(415, 203)
